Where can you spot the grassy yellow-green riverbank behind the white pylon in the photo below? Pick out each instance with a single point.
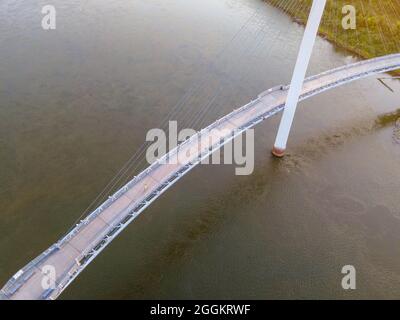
(378, 25)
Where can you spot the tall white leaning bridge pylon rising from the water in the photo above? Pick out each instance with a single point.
(299, 74)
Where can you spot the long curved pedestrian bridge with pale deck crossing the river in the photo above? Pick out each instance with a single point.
(71, 254)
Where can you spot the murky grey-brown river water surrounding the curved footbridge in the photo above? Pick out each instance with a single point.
(76, 102)
